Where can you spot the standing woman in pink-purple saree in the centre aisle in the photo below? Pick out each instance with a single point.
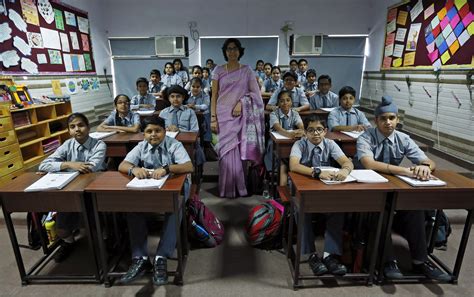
(237, 115)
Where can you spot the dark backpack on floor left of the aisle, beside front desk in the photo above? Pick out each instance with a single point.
(204, 228)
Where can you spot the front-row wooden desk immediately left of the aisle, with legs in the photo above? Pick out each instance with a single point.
(110, 194)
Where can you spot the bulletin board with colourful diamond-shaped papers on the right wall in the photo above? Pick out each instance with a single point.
(429, 34)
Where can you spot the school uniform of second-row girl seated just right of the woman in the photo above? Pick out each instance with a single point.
(287, 122)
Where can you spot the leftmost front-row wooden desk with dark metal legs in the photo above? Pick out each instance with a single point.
(69, 199)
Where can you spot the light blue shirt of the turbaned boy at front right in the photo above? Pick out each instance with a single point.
(370, 144)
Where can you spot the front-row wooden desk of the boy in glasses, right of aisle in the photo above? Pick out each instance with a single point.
(313, 196)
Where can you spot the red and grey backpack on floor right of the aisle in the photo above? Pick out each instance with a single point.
(264, 226)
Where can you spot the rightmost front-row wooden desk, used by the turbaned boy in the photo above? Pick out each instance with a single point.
(457, 194)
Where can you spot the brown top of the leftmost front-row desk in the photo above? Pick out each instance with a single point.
(26, 179)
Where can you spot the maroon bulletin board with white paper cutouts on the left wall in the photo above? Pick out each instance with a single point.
(44, 37)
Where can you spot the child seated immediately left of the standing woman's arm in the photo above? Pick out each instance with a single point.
(200, 101)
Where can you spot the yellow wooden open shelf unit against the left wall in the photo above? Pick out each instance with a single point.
(40, 130)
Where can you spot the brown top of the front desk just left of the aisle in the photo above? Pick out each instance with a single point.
(114, 181)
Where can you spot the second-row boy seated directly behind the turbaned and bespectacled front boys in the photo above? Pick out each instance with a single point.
(345, 117)
